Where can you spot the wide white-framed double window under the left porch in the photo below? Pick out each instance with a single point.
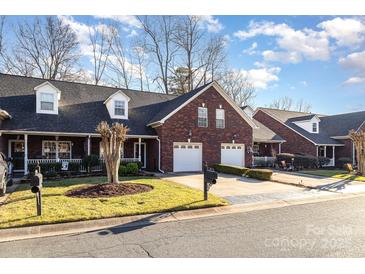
(56, 149)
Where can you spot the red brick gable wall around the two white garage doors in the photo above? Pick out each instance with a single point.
(176, 129)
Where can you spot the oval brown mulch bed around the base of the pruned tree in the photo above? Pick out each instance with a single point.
(108, 190)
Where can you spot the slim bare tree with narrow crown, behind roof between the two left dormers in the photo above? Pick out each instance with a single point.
(101, 40)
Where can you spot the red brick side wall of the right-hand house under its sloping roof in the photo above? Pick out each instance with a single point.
(294, 142)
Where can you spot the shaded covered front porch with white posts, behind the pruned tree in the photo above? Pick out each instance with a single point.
(46, 148)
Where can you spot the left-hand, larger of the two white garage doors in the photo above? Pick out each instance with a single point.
(187, 157)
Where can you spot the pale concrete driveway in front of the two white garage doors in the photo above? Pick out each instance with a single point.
(239, 190)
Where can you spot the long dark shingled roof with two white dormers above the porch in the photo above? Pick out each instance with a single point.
(81, 107)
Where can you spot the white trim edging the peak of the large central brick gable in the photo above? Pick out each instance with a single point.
(221, 92)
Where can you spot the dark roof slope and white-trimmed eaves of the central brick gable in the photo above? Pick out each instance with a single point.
(176, 104)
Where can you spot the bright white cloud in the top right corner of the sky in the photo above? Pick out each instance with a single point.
(347, 32)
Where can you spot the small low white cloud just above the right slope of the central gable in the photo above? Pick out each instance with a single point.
(262, 77)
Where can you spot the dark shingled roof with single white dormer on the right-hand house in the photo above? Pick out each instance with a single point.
(329, 126)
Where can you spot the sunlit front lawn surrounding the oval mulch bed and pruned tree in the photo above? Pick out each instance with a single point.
(19, 209)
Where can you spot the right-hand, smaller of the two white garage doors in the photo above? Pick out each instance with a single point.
(233, 154)
